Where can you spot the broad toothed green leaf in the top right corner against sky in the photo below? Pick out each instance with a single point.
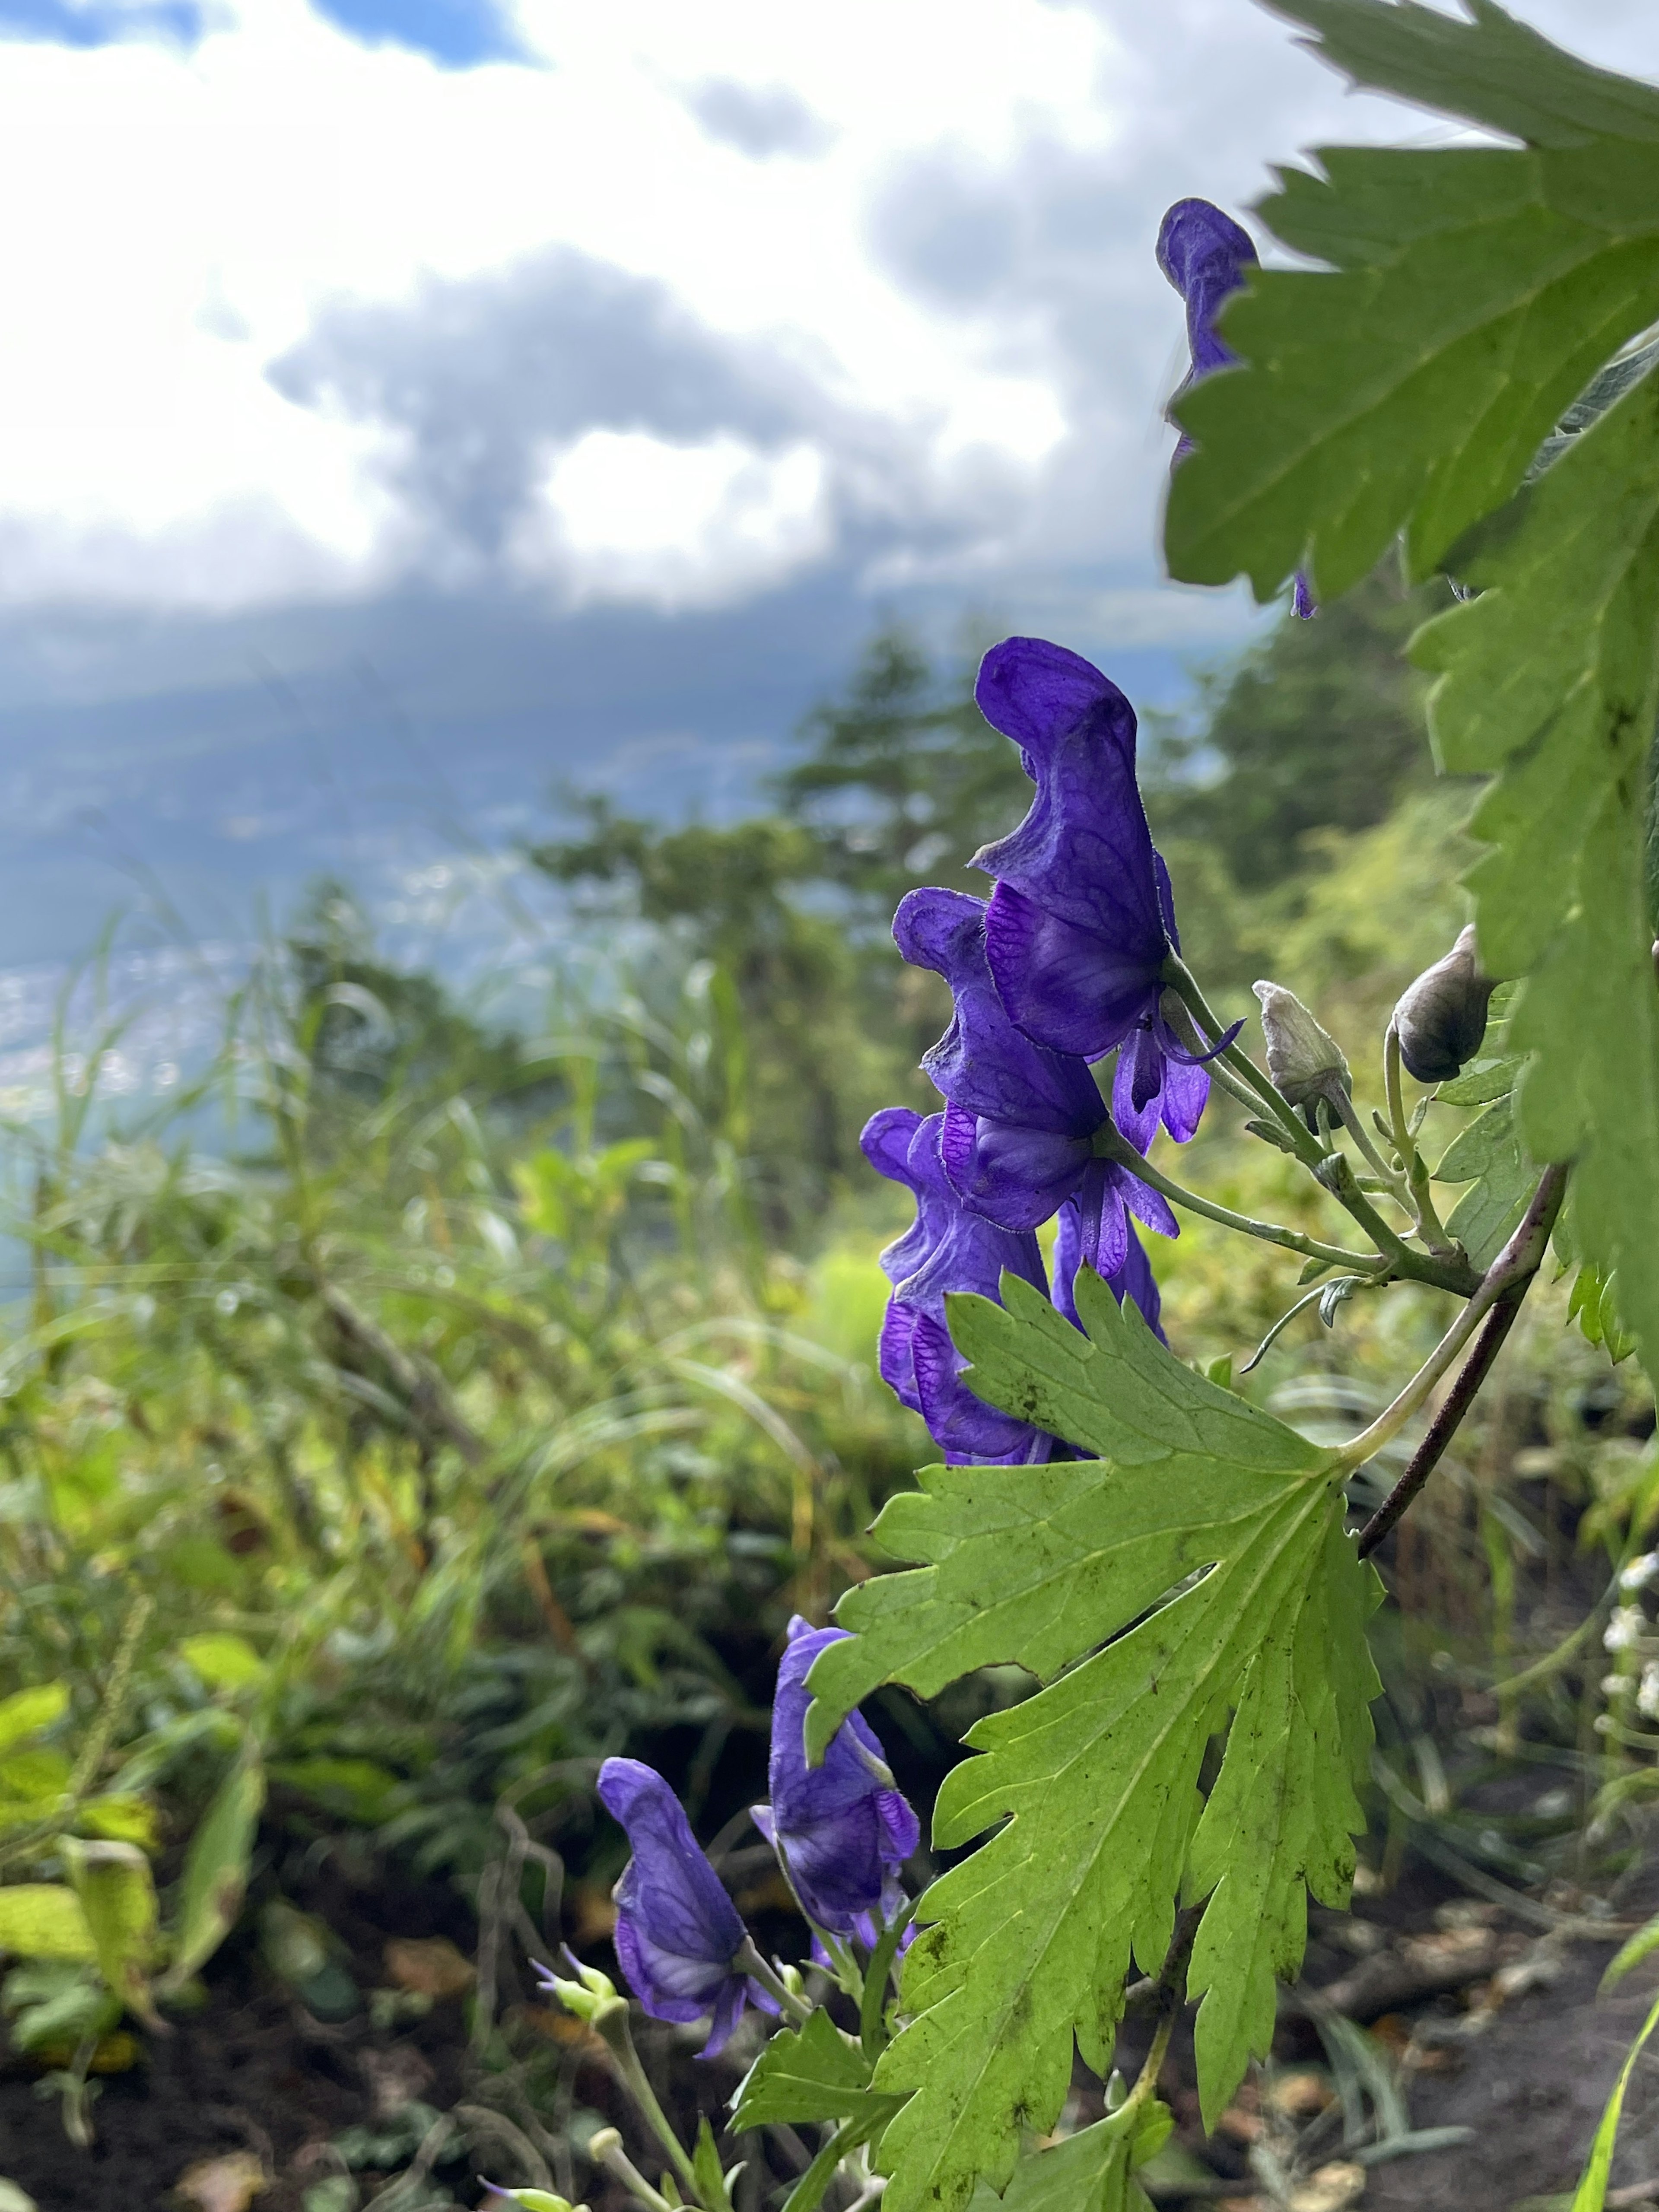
(1468, 302)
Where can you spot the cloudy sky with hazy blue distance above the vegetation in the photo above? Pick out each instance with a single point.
(408, 406)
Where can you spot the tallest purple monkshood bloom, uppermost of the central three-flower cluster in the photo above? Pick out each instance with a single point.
(1083, 917)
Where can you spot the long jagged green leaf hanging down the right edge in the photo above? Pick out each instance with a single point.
(1552, 680)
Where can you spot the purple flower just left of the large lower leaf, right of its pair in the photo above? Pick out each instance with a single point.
(842, 1828)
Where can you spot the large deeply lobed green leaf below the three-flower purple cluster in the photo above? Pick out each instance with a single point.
(1204, 1567)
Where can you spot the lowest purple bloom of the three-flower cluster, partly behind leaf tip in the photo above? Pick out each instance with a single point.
(948, 1249)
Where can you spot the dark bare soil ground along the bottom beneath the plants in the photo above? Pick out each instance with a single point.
(1525, 2067)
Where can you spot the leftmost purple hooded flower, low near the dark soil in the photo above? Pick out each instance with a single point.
(678, 1932)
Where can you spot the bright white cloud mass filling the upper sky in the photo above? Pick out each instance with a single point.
(948, 282)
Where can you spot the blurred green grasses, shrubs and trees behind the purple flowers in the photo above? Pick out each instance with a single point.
(470, 1406)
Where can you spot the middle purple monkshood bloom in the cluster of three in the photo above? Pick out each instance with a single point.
(1021, 1120)
